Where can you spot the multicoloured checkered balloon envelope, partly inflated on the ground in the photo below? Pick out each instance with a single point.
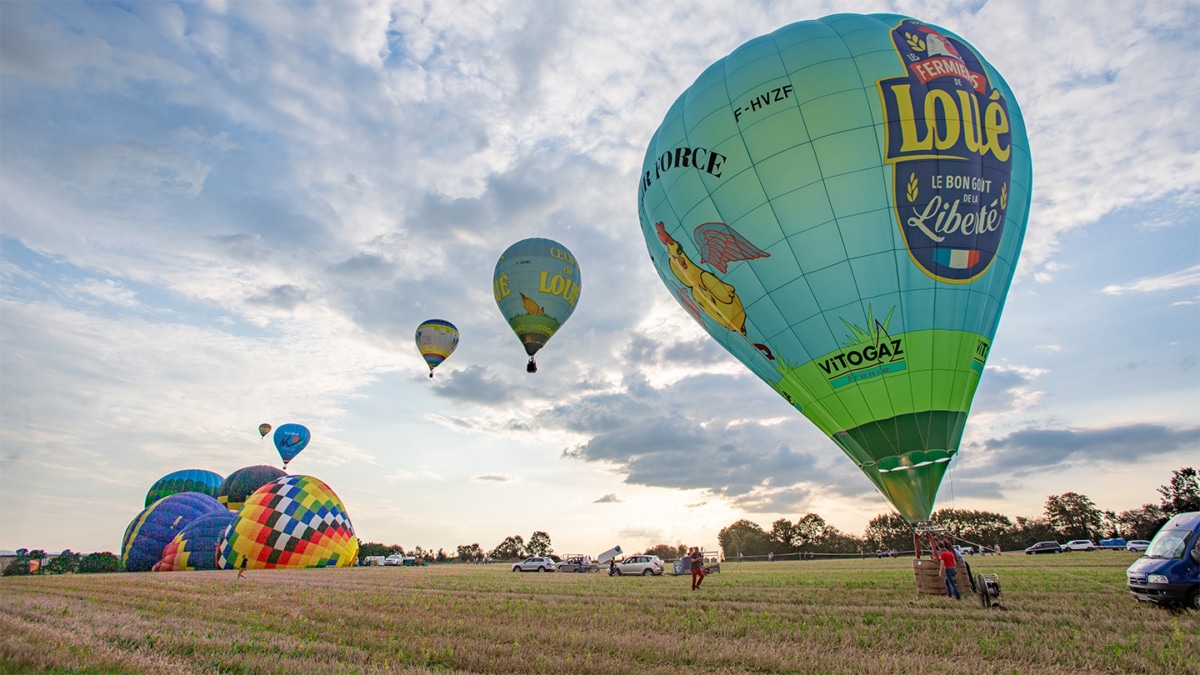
(295, 522)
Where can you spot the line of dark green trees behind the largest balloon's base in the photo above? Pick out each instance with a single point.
(1066, 517)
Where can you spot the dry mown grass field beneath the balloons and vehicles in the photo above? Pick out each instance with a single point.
(1065, 614)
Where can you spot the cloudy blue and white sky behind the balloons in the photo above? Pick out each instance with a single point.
(220, 214)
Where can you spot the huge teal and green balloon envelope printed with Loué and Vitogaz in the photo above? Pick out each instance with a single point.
(842, 205)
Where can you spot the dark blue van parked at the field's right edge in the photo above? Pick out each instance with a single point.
(1169, 571)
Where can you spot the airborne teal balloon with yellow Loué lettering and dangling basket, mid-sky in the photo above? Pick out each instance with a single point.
(537, 285)
